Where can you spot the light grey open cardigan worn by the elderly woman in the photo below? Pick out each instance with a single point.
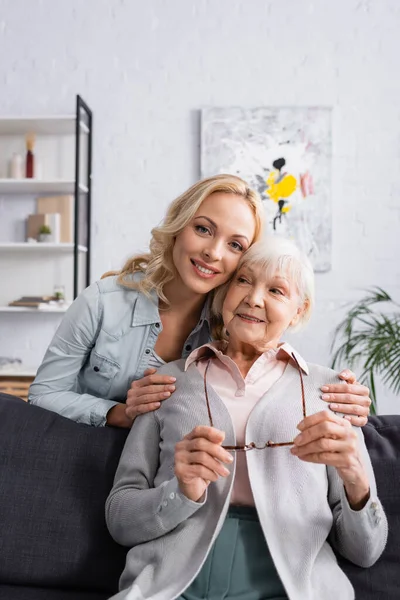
(300, 505)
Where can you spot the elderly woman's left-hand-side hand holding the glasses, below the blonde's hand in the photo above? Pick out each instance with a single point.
(198, 461)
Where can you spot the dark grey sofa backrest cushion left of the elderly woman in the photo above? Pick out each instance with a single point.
(55, 478)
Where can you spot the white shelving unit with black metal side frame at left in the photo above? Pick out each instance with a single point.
(63, 148)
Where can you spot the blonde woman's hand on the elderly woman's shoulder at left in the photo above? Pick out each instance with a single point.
(146, 394)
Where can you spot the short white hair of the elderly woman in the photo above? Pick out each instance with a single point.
(274, 254)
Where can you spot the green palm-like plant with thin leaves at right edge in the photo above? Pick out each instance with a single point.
(370, 338)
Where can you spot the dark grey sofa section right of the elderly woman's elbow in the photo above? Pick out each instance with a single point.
(382, 580)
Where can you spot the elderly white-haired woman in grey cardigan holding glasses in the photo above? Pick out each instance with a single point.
(206, 519)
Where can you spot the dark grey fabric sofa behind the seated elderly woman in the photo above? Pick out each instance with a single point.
(54, 479)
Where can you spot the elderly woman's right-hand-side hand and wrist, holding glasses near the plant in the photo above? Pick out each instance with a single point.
(328, 439)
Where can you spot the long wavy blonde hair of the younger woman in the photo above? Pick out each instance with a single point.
(157, 265)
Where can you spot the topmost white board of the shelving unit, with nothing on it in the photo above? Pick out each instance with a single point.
(41, 125)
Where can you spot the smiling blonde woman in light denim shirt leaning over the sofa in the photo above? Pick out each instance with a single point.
(100, 366)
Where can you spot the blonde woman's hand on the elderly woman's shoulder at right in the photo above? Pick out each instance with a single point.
(350, 398)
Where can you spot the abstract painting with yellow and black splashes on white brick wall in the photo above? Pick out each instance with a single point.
(285, 154)
